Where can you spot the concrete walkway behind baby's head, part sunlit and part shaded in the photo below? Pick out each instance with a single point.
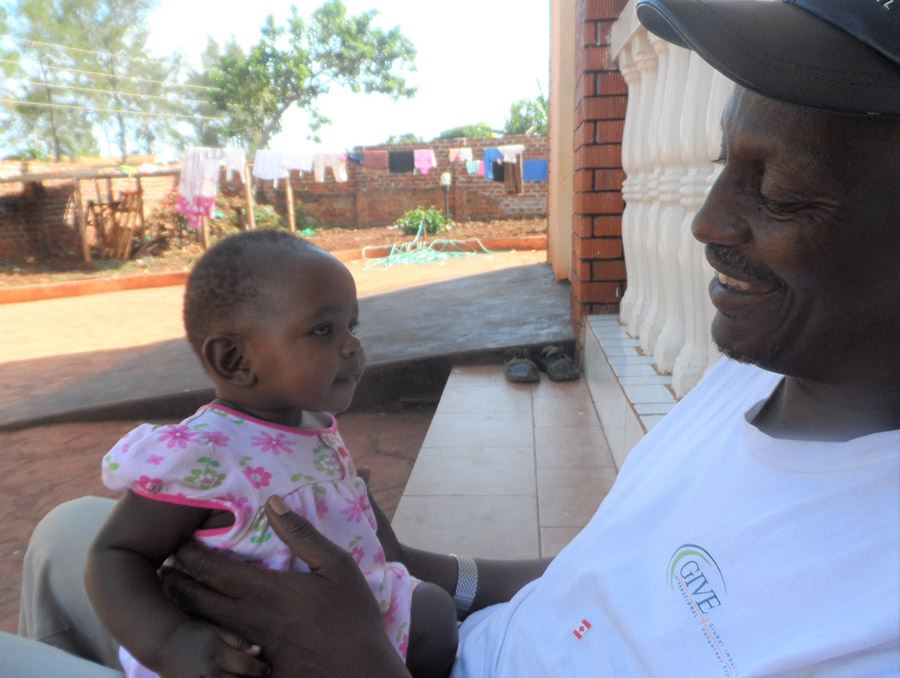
(63, 358)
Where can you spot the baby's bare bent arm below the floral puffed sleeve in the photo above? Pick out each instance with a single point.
(124, 588)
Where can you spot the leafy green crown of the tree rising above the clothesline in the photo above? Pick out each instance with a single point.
(295, 63)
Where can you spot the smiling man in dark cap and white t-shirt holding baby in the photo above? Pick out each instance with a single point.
(756, 529)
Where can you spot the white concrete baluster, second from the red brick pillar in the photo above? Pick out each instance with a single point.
(638, 277)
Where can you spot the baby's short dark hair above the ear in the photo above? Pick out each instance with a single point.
(230, 276)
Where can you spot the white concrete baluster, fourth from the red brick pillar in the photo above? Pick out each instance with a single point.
(671, 215)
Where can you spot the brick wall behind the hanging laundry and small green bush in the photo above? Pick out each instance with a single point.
(377, 197)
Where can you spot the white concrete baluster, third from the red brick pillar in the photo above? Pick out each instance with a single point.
(651, 322)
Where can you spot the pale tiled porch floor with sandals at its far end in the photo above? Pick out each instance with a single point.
(506, 470)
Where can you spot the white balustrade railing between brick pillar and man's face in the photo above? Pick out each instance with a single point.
(672, 135)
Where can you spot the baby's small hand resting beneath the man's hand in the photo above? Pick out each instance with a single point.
(199, 649)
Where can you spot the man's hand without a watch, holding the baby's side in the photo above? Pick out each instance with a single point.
(321, 623)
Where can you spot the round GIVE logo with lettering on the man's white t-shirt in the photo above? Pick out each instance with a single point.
(694, 573)
